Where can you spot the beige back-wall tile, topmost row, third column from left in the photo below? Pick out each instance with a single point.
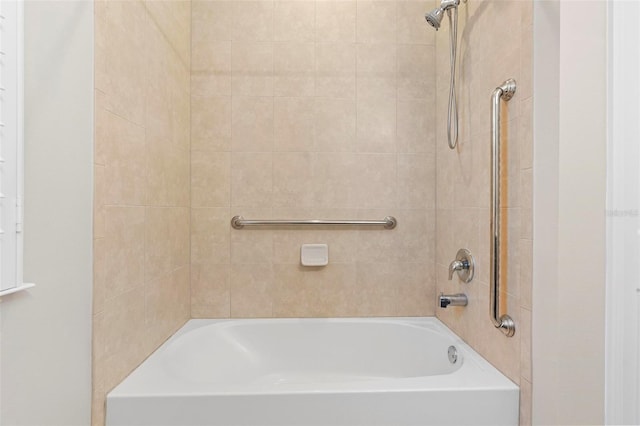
(294, 20)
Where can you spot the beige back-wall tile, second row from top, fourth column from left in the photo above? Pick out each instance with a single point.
(336, 70)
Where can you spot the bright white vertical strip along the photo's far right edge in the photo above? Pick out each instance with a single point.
(623, 219)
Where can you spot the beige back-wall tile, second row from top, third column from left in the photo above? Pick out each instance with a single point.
(294, 66)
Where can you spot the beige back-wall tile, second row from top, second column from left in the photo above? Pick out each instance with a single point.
(252, 66)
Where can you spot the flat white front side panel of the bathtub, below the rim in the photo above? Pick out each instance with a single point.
(433, 407)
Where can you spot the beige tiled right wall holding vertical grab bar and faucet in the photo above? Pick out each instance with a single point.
(495, 43)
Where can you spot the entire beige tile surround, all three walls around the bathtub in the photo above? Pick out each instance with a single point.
(300, 109)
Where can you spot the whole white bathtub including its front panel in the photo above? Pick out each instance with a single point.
(324, 372)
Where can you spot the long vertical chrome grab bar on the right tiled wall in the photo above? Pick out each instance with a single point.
(505, 322)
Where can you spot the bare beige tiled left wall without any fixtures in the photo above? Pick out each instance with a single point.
(142, 199)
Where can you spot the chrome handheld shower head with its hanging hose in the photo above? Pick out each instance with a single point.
(434, 18)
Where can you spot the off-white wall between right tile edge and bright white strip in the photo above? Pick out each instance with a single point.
(569, 211)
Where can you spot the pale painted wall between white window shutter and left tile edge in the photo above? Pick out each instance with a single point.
(46, 332)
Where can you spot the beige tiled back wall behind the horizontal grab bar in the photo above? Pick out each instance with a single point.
(312, 109)
